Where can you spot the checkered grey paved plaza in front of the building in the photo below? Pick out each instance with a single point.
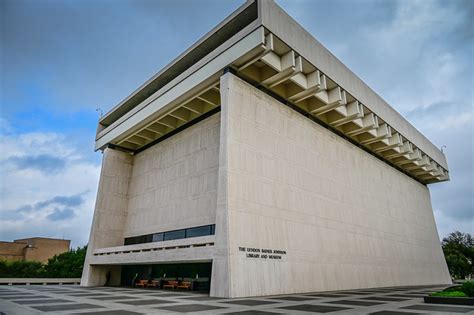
(50, 299)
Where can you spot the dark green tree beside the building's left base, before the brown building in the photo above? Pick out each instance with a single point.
(66, 265)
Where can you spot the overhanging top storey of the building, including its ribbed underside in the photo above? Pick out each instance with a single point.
(266, 47)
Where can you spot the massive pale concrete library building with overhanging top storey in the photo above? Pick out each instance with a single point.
(258, 162)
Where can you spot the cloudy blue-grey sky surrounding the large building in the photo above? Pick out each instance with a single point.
(60, 60)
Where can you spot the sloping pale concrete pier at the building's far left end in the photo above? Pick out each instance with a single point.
(109, 216)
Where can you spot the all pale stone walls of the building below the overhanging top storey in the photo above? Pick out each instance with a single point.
(274, 181)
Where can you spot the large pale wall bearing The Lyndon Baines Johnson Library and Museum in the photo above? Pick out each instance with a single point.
(345, 219)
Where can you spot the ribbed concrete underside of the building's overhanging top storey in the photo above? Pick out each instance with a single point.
(282, 71)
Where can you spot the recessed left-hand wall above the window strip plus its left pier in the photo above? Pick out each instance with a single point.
(171, 185)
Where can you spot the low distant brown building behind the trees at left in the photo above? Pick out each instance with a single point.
(35, 248)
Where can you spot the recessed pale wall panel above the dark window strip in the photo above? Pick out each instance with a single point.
(174, 183)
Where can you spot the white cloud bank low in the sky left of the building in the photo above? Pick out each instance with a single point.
(46, 191)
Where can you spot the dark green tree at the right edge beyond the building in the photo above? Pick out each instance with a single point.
(458, 250)
